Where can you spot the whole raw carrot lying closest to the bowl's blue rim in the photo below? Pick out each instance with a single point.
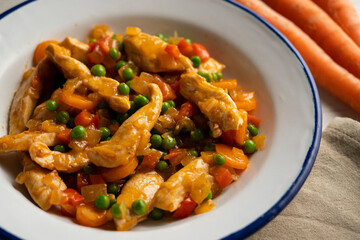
(326, 72)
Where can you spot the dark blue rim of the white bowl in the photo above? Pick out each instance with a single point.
(310, 156)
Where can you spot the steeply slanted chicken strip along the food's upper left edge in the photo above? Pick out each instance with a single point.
(28, 94)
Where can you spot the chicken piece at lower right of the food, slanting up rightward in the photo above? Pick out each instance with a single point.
(173, 191)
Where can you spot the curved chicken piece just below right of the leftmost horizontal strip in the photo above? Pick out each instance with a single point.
(71, 161)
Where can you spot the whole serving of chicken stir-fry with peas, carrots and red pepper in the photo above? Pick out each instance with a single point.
(129, 125)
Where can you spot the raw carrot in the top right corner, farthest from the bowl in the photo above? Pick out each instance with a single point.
(344, 13)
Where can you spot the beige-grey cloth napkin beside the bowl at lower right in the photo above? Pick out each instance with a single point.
(328, 204)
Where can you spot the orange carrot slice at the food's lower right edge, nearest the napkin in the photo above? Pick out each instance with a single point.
(234, 157)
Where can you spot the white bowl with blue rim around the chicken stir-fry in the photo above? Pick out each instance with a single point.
(254, 52)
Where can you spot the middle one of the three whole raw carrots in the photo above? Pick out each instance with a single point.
(322, 29)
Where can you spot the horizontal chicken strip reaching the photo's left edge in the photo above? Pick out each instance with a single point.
(23, 141)
